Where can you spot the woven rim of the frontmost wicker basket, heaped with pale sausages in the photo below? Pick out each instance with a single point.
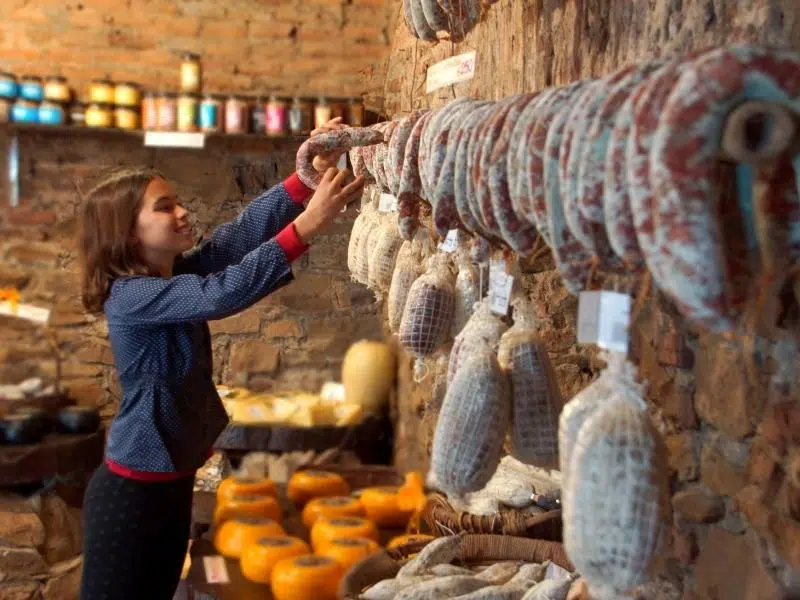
(476, 549)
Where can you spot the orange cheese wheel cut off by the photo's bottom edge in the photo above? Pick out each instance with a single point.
(306, 577)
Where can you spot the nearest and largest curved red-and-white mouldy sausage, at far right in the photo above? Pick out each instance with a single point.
(688, 264)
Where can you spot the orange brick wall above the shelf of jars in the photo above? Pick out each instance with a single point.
(248, 47)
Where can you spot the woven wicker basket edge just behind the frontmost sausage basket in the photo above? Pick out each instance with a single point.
(443, 519)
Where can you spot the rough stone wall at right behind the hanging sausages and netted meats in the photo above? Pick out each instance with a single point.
(730, 435)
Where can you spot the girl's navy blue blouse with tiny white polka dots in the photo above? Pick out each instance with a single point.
(170, 413)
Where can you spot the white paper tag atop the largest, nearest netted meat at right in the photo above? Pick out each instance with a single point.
(603, 319)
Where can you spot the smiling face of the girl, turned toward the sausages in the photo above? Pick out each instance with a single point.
(162, 230)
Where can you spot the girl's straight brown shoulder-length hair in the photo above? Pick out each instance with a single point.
(107, 221)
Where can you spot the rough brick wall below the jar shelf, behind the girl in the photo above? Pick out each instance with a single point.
(295, 337)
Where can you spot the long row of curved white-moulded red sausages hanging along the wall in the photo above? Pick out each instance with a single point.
(620, 173)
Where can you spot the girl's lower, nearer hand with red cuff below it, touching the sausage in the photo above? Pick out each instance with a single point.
(327, 202)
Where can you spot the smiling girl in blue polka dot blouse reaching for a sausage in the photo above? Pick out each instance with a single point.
(157, 296)
